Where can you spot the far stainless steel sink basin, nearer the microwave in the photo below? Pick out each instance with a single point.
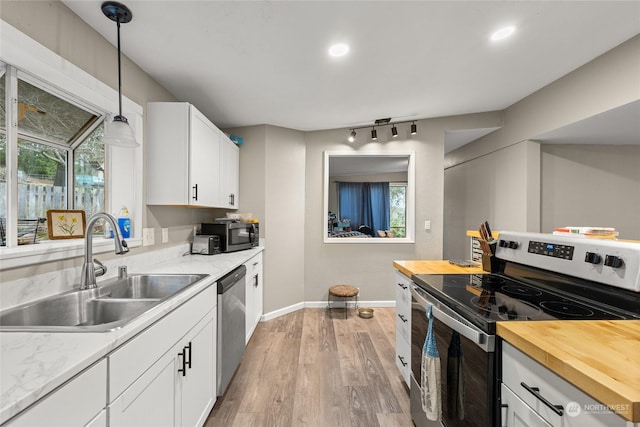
(157, 286)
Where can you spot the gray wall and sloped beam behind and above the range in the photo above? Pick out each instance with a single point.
(607, 82)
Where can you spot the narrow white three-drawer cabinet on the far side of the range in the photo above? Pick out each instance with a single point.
(403, 326)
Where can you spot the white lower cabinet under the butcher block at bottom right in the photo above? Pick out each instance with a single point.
(533, 395)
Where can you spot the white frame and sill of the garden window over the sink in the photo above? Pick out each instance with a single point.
(121, 175)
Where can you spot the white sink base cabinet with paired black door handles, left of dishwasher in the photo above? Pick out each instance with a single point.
(164, 376)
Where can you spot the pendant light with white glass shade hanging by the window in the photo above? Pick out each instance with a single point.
(118, 132)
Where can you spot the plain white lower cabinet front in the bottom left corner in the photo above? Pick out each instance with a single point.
(79, 402)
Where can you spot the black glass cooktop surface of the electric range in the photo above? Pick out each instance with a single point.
(486, 299)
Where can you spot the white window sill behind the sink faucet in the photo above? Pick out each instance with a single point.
(54, 251)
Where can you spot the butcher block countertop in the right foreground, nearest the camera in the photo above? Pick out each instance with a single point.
(599, 357)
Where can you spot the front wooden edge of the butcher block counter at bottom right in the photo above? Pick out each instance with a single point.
(573, 371)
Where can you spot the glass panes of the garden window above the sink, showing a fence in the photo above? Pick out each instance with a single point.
(59, 155)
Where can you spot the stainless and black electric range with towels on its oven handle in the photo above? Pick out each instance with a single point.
(538, 277)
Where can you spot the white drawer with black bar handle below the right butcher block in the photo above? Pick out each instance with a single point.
(578, 408)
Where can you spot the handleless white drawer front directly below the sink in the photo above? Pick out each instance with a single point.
(135, 357)
